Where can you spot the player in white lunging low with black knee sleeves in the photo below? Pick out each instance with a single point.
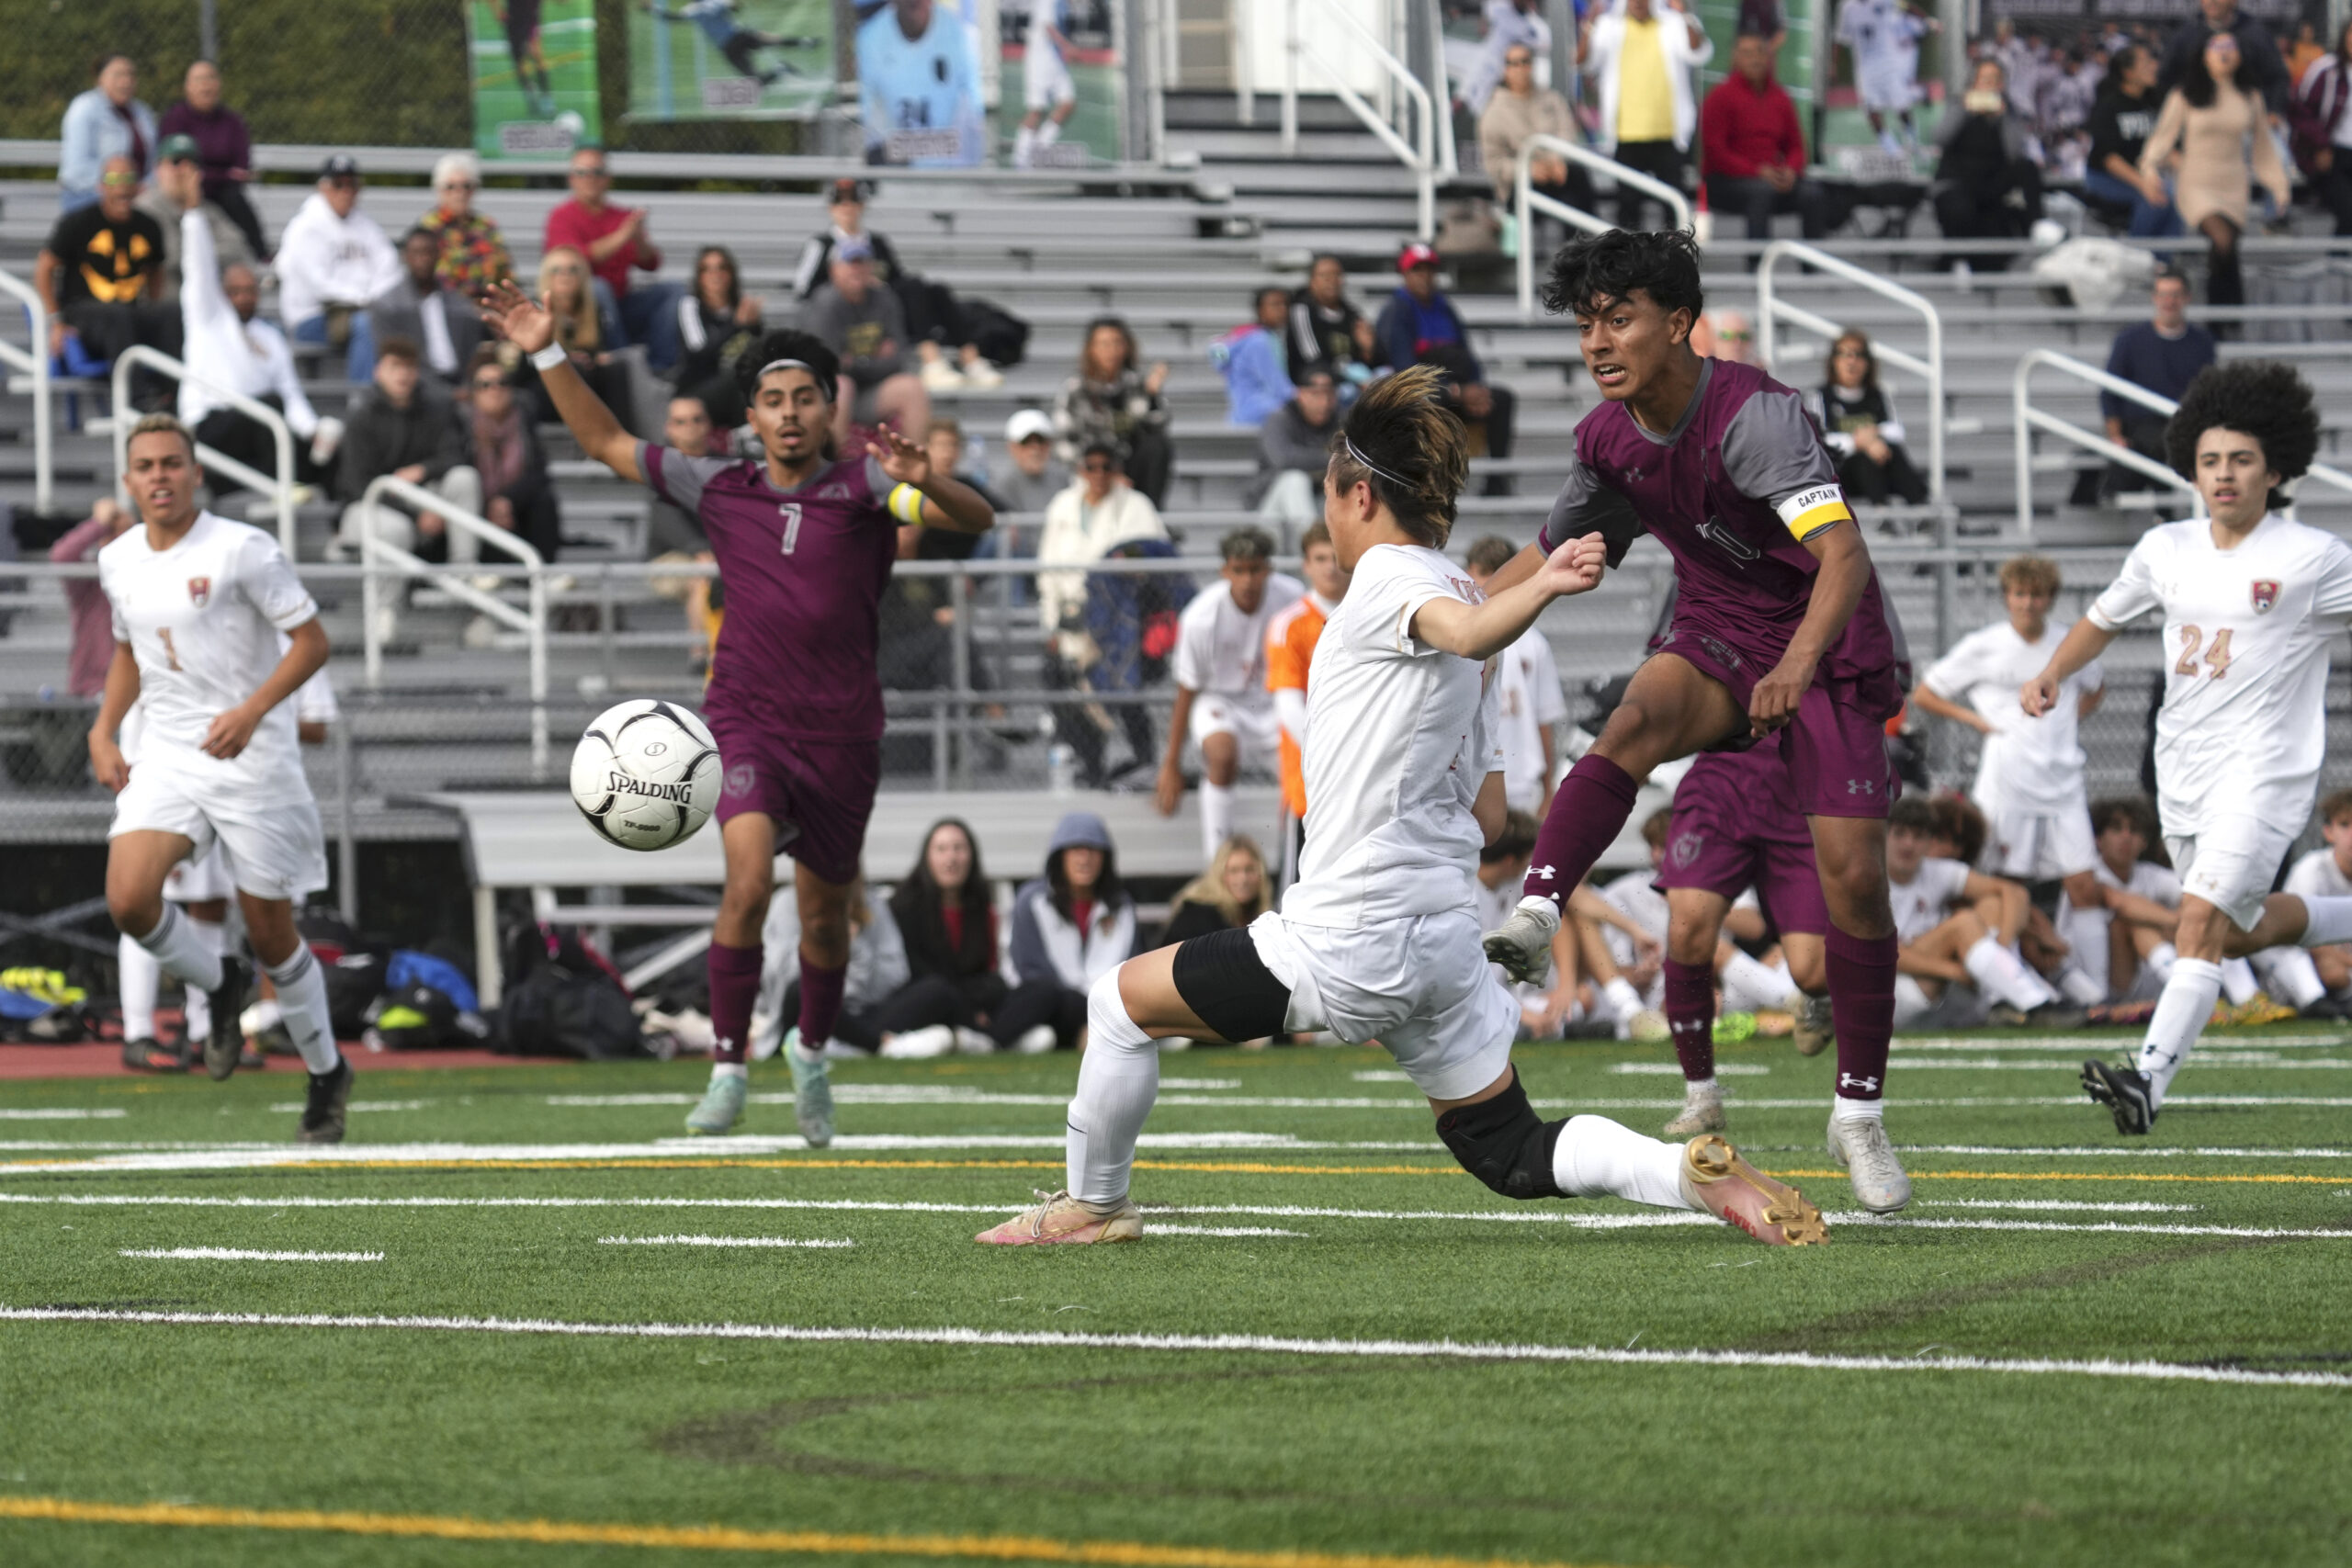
(1379, 934)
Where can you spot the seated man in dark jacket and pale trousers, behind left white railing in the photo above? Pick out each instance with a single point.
(406, 427)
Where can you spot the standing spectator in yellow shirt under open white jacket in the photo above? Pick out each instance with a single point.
(1643, 65)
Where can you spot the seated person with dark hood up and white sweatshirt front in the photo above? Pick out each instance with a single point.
(1071, 927)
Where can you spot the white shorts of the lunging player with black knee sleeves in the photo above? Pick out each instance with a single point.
(1417, 986)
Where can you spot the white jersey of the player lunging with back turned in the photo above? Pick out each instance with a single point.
(1401, 737)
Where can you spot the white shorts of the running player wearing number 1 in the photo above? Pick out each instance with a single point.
(269, 831)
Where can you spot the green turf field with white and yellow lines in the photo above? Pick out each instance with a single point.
(2071, 1351)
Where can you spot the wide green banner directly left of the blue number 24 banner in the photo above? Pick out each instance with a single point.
(730, 60)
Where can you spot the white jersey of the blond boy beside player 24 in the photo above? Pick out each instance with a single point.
(2029, 765)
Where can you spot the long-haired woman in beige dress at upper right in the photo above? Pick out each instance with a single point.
(2212, 121)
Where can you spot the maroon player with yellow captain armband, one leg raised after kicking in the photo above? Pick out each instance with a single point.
(1779, 629)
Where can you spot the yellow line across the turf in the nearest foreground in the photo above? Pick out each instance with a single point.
(719, 1539)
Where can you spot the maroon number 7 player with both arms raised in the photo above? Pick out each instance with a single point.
(806, 544)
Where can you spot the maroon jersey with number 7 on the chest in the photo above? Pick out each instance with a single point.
(806, 572)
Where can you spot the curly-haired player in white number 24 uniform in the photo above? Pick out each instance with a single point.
(2250, 605)
